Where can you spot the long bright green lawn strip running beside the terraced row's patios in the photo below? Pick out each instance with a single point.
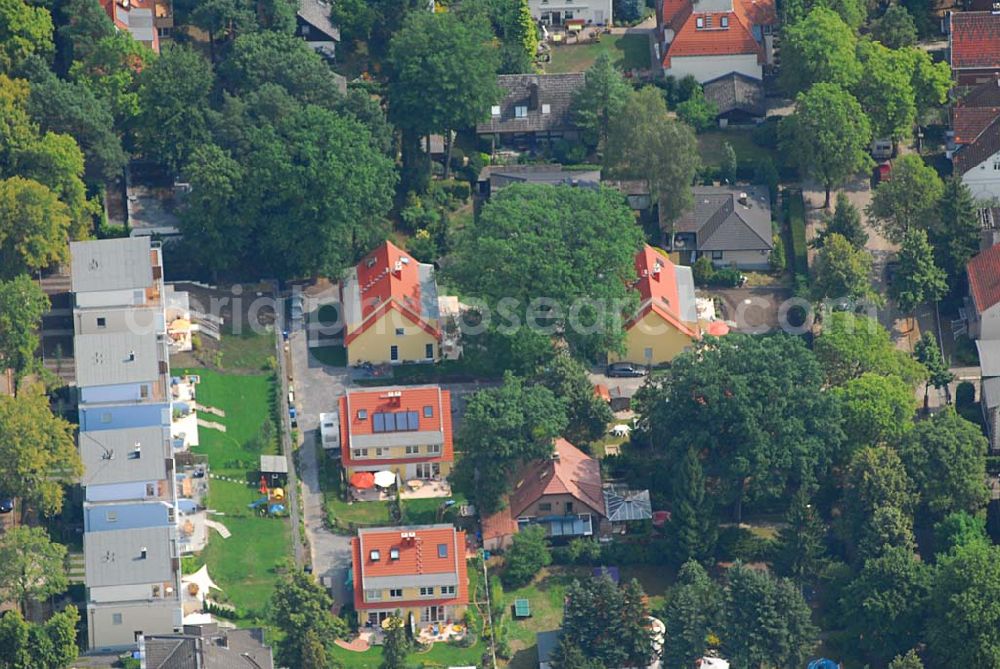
(244, 564)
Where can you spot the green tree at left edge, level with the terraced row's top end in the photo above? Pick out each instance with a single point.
(22, 305)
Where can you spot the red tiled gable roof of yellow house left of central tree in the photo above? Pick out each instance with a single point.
(389, 278)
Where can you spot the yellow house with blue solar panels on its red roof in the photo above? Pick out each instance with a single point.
(404, 429)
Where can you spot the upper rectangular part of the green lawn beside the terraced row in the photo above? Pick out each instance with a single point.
(247, 401)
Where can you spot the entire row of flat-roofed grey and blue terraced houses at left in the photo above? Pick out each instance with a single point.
(131, 553)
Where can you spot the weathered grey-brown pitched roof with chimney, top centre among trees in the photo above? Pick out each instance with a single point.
(533, 91)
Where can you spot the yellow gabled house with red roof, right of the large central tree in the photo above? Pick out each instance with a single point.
(667, 321)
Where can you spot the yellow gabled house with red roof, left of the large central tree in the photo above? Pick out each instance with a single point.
(390, 309)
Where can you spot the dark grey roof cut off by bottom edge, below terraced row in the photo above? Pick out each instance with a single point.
(207, 647)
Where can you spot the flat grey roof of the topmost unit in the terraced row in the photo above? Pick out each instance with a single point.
(111, 264)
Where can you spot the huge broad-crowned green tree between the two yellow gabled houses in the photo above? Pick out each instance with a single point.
(575, 247)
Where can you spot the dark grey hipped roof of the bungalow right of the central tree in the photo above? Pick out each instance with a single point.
(721, 223)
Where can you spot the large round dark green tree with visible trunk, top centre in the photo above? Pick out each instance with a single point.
(442, 75)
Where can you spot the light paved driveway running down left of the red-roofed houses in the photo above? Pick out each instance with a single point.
(317, 388)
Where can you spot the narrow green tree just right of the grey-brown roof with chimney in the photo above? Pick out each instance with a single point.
(603, 96)
